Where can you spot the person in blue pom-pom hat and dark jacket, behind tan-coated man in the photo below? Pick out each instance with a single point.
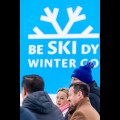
(83, 74)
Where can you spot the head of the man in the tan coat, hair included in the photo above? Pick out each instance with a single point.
(78, 91)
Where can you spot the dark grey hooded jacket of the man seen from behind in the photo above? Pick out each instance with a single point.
(42, 106)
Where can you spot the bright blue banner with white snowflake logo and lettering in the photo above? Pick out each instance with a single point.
(57, 36)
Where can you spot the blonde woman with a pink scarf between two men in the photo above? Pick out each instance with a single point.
(61, 100)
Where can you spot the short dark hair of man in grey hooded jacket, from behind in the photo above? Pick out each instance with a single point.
(33, 83)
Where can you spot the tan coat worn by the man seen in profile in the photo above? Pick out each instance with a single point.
(83, 111)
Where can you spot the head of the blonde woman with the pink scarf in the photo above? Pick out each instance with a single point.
(62, 96)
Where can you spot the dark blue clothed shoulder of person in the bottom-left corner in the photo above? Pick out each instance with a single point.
(25, 114)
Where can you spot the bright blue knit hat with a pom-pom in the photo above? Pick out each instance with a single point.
(83, 73)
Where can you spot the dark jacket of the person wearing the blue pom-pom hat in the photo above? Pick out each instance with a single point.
(95, 96)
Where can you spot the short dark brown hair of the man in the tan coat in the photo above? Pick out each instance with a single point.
(80, 86)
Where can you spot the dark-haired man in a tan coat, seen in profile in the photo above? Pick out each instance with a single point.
(81, 109)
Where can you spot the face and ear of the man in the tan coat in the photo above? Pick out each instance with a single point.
(73, 98)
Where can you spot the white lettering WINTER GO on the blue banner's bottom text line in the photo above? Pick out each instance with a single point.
(63, 63)
